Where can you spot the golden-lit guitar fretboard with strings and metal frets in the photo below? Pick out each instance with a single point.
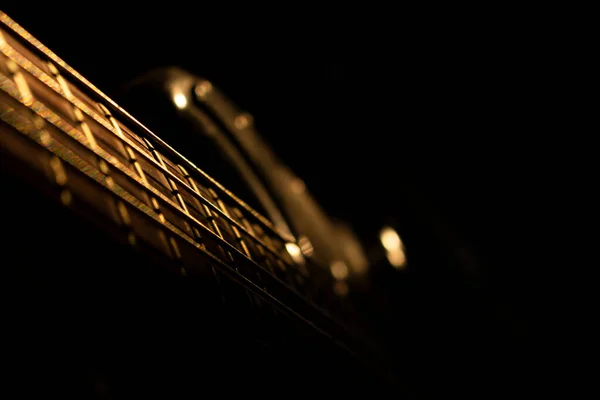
(89, 151)
